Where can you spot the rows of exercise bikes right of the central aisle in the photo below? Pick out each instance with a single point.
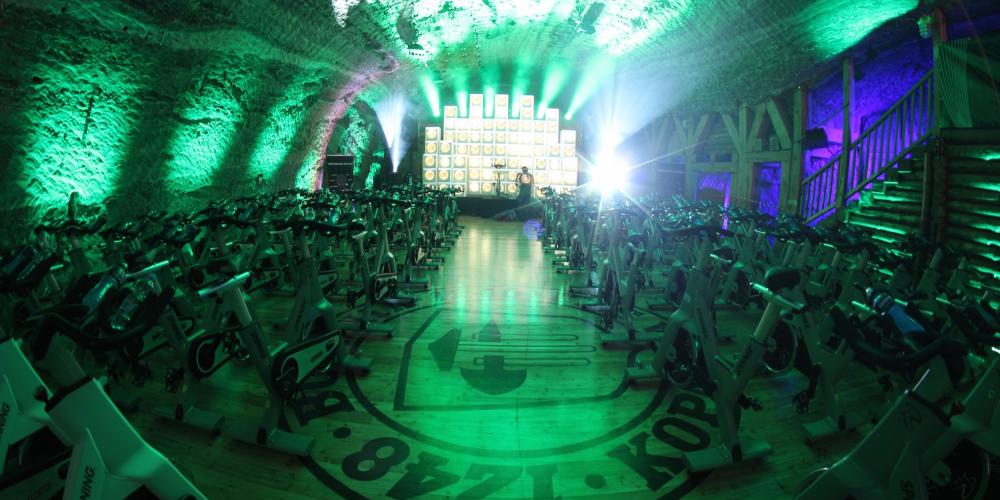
(915, 322)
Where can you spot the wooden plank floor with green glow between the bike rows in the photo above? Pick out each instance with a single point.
(497, 385)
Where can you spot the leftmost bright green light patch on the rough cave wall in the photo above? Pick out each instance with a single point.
(70, 147)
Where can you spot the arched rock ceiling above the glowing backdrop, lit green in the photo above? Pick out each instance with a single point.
(634, 58)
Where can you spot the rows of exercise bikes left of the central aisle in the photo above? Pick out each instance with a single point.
(94, 310)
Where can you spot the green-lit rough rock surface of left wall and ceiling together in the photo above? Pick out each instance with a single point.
(113, 98)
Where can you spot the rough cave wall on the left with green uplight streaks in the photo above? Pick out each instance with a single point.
(95, 98)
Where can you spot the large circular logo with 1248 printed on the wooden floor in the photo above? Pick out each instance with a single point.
(509, 406)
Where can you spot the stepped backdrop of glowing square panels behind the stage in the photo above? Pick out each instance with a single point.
(464, 152)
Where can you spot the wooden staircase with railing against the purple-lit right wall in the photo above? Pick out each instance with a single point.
(902, 176)
